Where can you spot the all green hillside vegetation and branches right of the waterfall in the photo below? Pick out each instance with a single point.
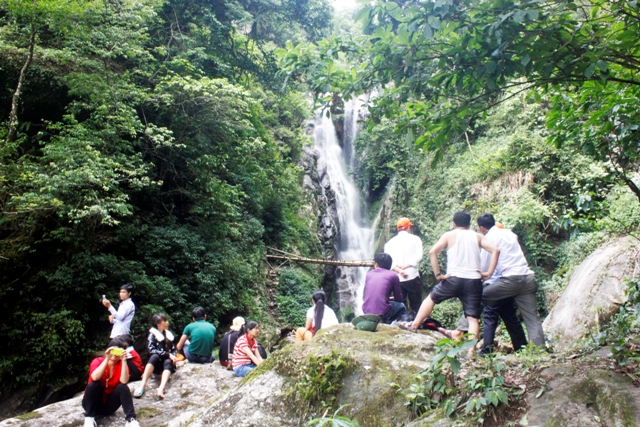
(525, 109)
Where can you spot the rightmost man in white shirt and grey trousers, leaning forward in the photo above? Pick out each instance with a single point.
(515, 278)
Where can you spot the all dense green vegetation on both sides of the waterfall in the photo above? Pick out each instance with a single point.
(158, 143)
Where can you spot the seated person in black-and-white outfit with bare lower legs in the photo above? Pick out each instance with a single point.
(162, 353)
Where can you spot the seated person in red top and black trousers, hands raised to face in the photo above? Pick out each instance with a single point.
(107, 389)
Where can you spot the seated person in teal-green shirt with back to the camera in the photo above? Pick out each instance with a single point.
(200, 334)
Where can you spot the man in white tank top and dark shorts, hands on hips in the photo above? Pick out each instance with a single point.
(464, 278)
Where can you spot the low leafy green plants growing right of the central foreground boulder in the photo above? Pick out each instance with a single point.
(443, 385)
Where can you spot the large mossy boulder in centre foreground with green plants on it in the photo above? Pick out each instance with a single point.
(341, 366)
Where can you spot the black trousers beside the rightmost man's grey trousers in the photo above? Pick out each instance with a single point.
(492, 313)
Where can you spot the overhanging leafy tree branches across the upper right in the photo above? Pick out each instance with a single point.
(444, 64)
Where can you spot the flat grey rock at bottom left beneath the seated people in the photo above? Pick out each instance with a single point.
(190, 391)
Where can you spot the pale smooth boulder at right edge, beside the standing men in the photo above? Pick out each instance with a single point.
(595, 291)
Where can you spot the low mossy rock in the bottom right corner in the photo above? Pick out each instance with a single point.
(584, 398)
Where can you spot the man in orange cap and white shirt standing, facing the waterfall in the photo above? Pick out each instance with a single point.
(406, 253)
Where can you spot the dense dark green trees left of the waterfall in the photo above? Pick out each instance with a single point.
(145, 142)
